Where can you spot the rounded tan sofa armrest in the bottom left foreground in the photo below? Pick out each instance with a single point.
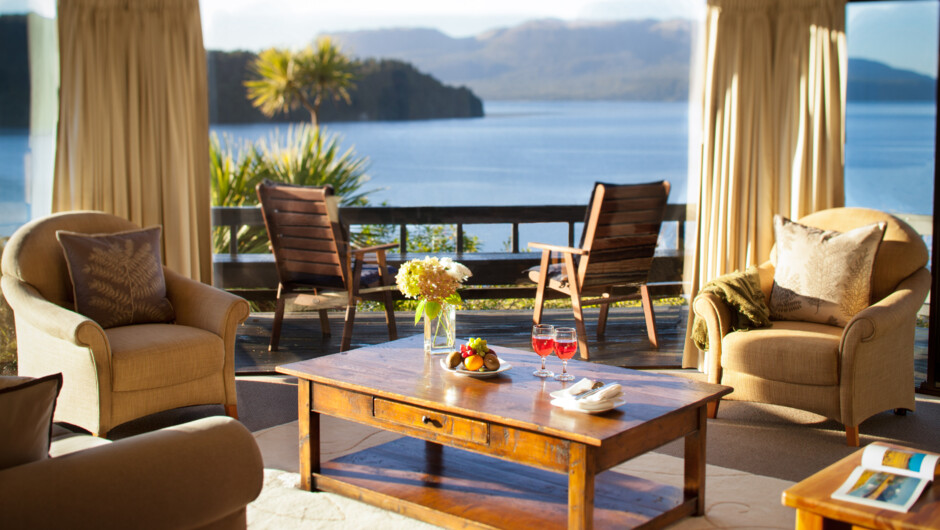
(179, 477)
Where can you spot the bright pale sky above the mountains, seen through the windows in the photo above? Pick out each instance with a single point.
(902, 34)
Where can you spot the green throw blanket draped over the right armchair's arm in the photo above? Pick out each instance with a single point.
(741, 291)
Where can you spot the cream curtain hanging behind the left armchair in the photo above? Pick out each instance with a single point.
(134, 121)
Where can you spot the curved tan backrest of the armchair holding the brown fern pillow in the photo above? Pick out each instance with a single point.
(33, 254)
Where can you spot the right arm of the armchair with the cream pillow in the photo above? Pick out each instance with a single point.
(877, 352)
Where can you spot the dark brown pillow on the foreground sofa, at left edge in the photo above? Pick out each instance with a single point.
(26, 408)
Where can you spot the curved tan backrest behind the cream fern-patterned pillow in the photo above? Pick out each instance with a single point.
(901, 253)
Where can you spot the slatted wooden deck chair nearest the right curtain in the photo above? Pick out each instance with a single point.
(621, 228)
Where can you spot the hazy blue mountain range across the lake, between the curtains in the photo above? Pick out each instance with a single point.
(546, 59)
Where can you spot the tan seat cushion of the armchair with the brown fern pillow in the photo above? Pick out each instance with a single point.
(161, 355)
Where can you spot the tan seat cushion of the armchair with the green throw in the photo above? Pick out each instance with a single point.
(792, 352)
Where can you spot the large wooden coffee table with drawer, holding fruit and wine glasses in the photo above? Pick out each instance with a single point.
(496, 453)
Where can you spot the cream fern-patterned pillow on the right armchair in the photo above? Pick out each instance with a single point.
(822, 276)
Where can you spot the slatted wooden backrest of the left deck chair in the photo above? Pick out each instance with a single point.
(307, 238)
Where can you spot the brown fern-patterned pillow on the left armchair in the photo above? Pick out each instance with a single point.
(117, 278)
